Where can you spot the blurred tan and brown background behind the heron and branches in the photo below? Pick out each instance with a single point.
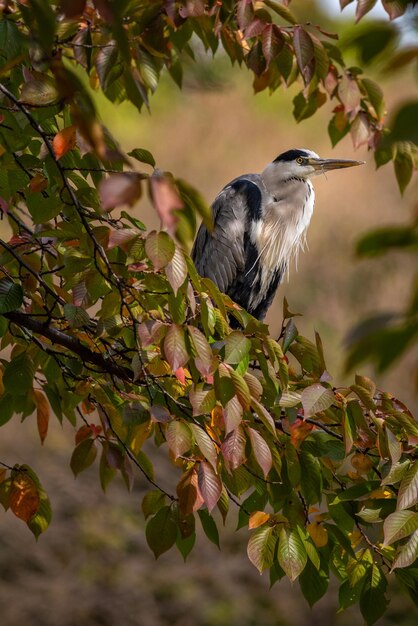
(92, 566)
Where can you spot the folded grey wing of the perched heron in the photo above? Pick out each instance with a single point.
(221, 254)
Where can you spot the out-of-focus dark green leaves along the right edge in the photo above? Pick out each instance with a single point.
(384, 338)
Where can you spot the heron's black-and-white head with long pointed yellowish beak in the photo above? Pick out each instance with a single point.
(306, 163)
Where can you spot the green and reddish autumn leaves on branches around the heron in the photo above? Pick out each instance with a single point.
(111, 328)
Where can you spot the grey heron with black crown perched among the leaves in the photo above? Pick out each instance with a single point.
(260, 223)
